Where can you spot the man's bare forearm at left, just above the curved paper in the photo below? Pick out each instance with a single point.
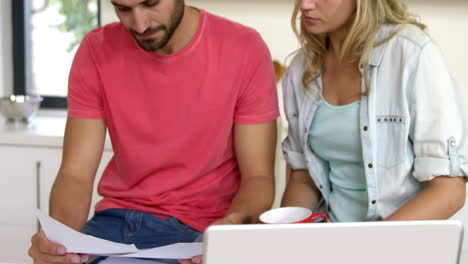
(70, 201)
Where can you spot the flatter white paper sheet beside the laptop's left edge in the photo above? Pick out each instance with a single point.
(174, 251)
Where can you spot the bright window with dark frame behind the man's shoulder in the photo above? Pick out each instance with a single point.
(46, 35)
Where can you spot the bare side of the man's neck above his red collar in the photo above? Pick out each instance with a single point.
(184, 32)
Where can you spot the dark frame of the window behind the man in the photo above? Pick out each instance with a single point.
(21, 50)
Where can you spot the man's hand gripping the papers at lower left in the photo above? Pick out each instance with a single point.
(43, 251)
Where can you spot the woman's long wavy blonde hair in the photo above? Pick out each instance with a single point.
(368, 17)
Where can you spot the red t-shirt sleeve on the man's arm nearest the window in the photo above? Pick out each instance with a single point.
(84, 85)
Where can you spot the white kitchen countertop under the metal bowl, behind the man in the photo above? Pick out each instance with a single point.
(46, 129)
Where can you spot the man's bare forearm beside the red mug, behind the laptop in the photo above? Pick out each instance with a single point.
(254, 197)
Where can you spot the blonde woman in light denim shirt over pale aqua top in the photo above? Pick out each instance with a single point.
(376, 125)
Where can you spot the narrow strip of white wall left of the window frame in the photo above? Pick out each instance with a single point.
(6, 60)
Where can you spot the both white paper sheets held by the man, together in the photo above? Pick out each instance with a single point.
(76, 242)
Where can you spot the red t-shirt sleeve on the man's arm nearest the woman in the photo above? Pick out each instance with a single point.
(258, 99)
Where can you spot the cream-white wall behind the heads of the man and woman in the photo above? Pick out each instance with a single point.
(447, 21)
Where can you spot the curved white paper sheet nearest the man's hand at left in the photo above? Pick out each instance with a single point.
(76, 242)
